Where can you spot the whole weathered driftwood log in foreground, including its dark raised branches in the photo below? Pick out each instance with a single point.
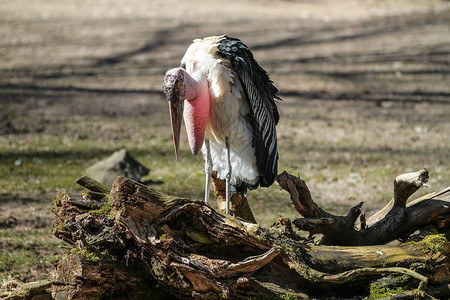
(135, 242)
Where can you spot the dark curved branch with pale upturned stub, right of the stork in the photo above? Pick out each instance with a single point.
(397, 221)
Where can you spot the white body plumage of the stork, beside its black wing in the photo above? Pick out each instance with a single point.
(228, 116)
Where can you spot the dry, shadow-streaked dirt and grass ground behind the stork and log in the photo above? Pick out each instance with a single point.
(365, 89)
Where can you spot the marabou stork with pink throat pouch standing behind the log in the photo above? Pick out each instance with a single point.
(229, 107)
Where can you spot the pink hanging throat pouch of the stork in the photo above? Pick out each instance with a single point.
(196, 113)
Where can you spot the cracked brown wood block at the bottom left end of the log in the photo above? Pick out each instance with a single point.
(82, 276)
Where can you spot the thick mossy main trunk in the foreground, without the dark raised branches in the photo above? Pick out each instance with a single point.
(141, 242)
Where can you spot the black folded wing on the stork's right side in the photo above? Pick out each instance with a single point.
(261, 94)
